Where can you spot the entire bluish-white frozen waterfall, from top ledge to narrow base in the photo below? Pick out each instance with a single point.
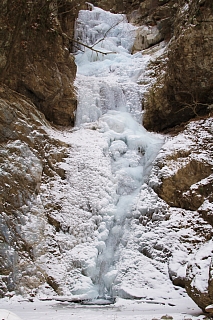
(110, 96)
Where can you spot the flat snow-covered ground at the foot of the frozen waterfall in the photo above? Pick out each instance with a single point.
(180, 309)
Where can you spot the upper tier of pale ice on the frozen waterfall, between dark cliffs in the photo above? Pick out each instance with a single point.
(108, 81)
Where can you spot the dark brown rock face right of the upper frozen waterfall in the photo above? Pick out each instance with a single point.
(184, 89)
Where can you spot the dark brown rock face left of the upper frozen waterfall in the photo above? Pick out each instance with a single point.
(35, 58)
